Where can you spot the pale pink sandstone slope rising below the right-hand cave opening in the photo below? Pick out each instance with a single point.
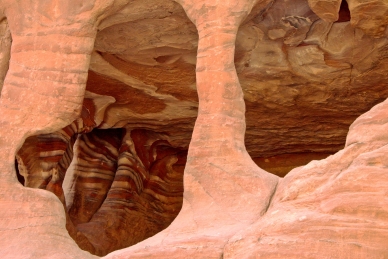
(333, 207)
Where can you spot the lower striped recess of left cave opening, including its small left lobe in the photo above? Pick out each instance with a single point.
(118, 186)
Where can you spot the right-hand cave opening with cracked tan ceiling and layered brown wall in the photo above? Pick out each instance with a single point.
(300, 84)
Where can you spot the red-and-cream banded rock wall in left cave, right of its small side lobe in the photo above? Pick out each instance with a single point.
(134, 191)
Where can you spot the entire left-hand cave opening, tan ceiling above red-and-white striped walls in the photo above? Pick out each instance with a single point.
(118, 168)
